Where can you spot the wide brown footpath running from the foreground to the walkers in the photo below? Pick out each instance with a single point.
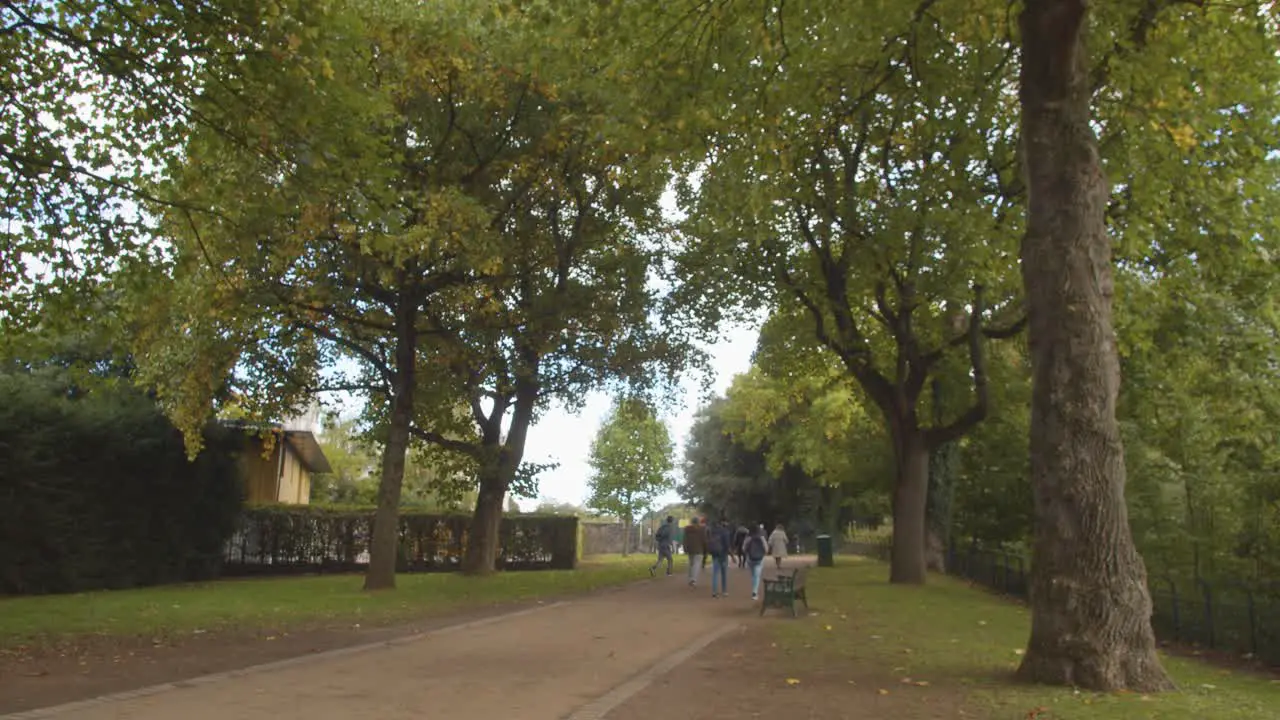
(572, 660)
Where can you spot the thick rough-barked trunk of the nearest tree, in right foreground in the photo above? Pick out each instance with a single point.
(1091, 612)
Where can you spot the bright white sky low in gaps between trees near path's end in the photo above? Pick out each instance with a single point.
(566, 439)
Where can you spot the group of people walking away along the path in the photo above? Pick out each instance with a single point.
(721, 546)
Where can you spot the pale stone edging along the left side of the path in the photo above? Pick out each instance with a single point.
(56, 710)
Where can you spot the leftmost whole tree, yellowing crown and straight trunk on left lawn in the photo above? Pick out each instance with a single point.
(367, 211)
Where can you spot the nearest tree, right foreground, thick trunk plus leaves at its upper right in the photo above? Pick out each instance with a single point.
(1090, 601)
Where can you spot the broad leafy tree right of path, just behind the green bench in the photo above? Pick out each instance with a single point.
(870, 200)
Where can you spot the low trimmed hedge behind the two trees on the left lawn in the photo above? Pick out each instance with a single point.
(273, 540)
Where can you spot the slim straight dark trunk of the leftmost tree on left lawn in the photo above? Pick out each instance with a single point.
(386, 541)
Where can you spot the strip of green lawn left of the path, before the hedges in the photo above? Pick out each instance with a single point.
(281, 604)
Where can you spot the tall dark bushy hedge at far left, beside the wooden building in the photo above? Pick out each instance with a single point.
(97, 491)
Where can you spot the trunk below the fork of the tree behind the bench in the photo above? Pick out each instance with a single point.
(911, 498)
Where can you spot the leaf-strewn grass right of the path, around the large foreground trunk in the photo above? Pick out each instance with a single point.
(950, 639)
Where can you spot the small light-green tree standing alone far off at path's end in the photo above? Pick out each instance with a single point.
(630, 462)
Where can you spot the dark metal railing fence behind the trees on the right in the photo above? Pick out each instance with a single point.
(1222, 617)
